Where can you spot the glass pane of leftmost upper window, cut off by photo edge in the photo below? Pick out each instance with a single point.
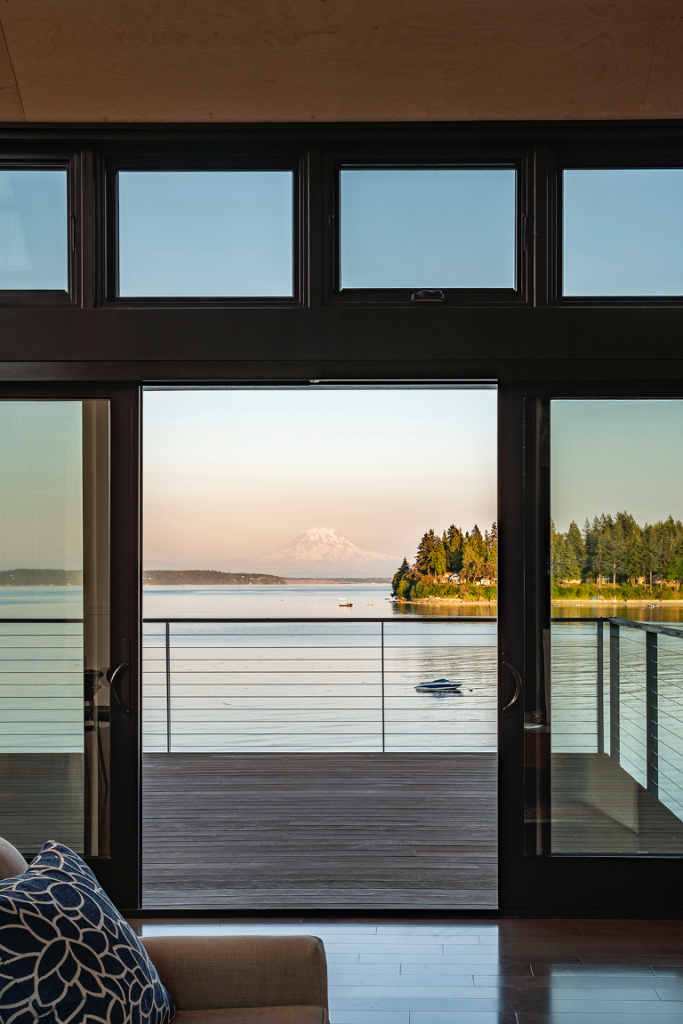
(34, 240)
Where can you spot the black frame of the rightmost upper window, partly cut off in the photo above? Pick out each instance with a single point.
(601, 158)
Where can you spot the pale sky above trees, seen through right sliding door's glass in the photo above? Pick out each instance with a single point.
(611, 456)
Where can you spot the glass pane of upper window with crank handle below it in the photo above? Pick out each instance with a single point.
(429, 229)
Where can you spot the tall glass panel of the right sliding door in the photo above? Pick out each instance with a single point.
(617, 635)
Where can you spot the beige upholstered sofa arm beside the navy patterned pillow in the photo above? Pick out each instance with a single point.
(226, 971)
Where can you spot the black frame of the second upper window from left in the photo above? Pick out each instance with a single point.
(254, 158)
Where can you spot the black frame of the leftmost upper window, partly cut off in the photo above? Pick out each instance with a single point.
(41, 159)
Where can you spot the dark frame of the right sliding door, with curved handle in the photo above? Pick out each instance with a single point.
(574, 886)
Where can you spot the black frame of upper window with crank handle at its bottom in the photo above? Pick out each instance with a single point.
(432, 156)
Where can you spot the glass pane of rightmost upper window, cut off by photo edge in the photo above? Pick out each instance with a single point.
(623, 232)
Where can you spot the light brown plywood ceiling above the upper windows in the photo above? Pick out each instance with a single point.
(232, 61)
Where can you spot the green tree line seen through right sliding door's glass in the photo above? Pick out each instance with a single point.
(618, 550)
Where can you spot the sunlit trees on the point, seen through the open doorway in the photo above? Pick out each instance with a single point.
(472, 557)
